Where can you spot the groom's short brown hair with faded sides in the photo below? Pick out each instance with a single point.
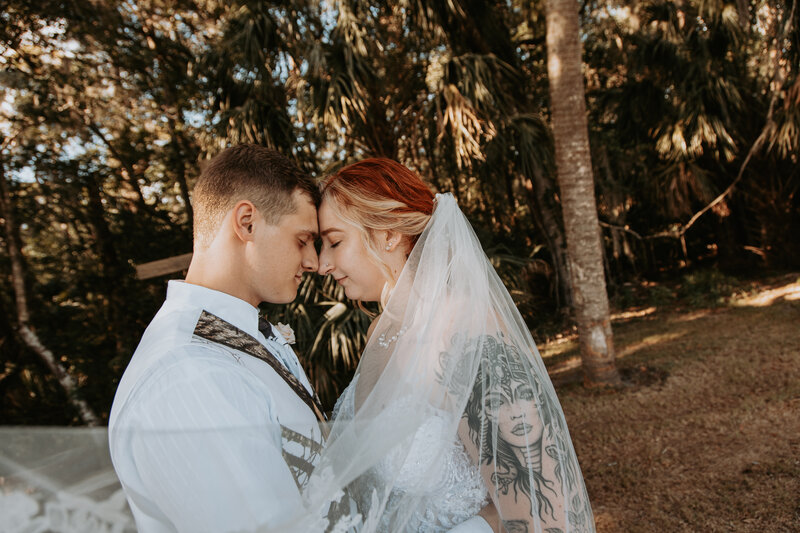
(247, 172)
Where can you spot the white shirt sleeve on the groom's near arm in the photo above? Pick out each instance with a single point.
(207, 448)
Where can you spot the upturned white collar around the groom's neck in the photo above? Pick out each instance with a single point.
(229, 308)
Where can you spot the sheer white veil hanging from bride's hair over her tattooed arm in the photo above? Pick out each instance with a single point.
(450, 359)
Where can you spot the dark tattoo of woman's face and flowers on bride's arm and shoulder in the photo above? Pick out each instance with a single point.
(520, 434)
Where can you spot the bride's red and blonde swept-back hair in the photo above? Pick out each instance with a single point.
(379, 194)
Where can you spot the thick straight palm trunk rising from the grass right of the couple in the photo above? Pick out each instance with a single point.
(576, 184)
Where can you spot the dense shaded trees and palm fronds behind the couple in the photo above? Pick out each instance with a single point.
(110, 108)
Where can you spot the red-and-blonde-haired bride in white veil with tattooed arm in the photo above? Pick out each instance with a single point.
(451, 407)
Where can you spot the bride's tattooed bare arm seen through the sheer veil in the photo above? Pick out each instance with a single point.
(511, 430)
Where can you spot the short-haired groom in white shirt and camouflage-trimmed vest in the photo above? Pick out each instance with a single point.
(214, 425)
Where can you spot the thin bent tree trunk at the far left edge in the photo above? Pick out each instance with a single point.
(24, 328)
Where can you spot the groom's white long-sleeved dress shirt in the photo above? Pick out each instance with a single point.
(197, 429)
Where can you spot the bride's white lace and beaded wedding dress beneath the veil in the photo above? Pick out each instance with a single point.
(457, 492)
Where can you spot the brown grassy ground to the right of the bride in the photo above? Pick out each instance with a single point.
(706, 434)
